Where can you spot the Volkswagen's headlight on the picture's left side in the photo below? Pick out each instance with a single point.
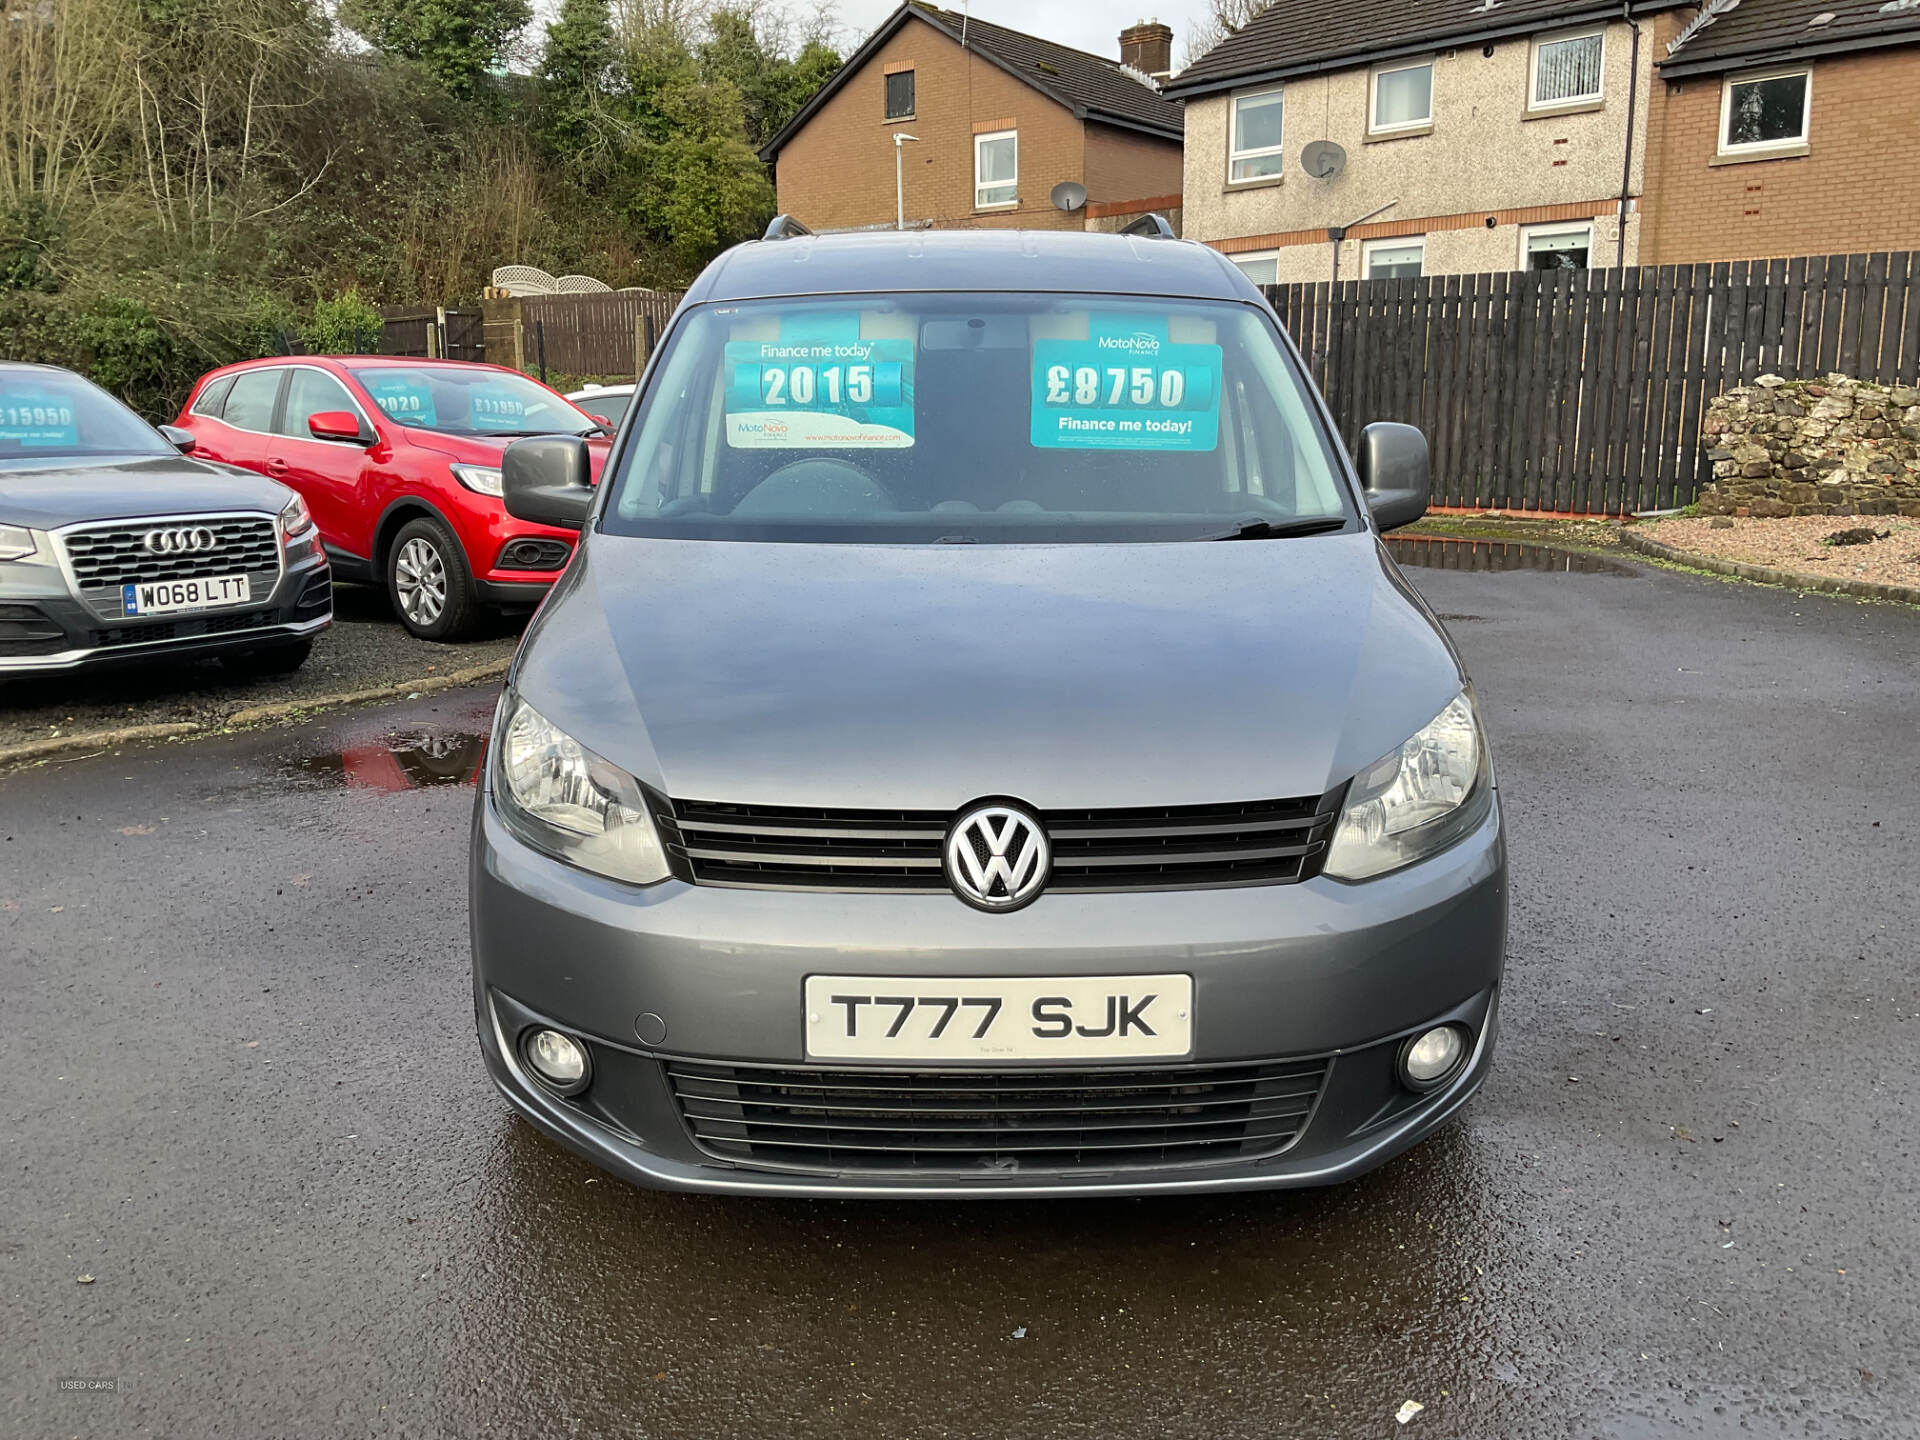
(571, 804)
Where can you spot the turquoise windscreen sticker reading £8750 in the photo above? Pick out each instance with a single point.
(1126, 393)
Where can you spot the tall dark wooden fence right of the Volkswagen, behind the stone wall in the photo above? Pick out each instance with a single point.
(1585, 391)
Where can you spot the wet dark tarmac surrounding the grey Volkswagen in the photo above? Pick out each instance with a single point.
(247, 1109)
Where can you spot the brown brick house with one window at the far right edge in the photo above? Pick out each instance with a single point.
(1787, 128)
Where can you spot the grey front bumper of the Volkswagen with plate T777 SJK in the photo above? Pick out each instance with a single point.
(1330, 972)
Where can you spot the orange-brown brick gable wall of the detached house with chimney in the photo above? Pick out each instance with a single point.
(838, 170)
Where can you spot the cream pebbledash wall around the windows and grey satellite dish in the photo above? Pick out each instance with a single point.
(1485, 158)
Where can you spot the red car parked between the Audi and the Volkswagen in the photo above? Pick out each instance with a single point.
(400, 464)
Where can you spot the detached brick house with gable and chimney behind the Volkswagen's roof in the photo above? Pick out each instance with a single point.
(997, 118)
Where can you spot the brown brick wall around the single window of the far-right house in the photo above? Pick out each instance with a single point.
(1858, 189)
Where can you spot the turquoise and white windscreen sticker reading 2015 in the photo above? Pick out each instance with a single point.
(821, 395)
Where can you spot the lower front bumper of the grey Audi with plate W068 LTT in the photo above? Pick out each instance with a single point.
(47, 629)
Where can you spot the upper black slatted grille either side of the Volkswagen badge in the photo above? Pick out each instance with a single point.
(1140, 850)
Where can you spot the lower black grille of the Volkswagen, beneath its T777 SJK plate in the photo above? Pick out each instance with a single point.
(996, 1122)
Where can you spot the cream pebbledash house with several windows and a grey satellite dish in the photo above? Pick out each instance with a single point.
(1477, 137)
